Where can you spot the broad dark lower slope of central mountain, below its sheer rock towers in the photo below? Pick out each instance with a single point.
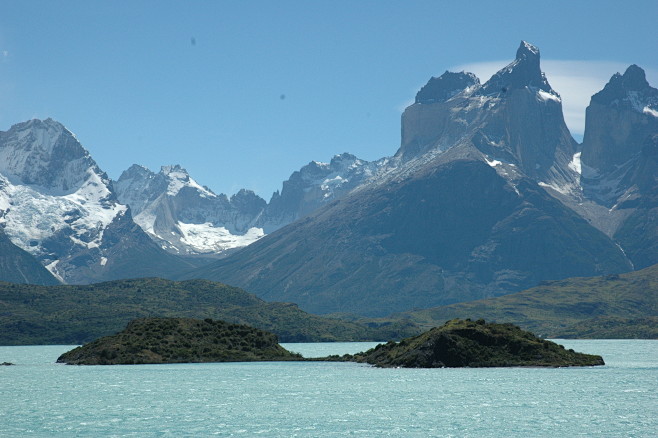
(458, 233)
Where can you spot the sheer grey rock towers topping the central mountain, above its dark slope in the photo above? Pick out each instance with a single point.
(515, 117)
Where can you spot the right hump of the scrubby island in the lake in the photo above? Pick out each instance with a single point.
(466, 343)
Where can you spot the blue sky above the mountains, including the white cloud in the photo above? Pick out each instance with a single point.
(242, 93)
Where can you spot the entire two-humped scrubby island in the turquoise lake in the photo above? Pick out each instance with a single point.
(457, 343)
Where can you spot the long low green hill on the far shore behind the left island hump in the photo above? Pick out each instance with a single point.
(78, 314)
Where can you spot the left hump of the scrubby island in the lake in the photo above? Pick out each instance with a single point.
(180, 340)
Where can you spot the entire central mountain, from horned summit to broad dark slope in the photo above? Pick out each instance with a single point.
(464, 210)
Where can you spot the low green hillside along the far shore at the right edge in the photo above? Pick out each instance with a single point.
(621, 306)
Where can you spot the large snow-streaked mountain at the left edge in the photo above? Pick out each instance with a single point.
(56, 204)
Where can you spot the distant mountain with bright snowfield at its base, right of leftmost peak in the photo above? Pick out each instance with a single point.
(186, 218)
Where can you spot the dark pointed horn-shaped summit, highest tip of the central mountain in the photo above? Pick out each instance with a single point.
(523, 72)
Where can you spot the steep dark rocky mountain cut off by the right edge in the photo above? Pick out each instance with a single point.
(620, 161)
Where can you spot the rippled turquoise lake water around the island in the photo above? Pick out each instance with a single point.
(317, 399)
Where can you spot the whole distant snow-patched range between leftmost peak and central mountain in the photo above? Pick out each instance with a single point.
(188, 219)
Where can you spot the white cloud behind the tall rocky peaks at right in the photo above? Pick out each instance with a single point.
(576, 81)
